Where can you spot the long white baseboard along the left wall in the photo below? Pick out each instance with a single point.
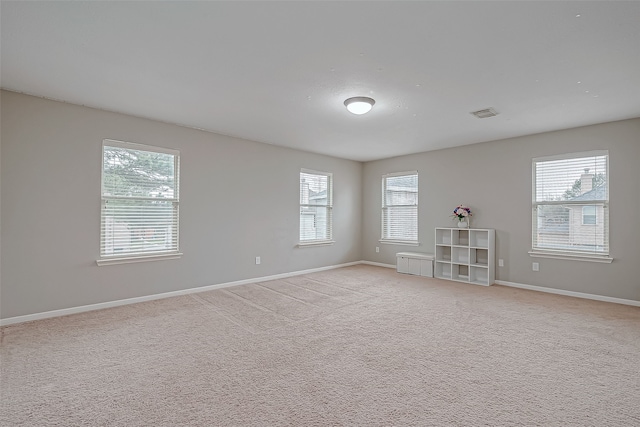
(103, 305)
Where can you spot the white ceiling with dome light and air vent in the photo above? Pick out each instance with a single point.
(278, 72)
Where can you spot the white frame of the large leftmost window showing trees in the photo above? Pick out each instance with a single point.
(139, 256)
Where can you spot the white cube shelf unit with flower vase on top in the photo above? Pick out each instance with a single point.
(466, 255)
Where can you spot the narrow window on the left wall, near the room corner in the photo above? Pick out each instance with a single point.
(316, 204)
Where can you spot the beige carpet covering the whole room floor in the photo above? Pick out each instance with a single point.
(357, 346)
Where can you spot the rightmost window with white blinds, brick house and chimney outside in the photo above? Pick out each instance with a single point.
(571, 205)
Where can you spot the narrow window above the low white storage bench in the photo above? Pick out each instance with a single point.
(400, 207)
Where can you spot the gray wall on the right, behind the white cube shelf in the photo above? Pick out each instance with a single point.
(494, 179)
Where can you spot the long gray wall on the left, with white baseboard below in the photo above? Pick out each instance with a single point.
(239, 200)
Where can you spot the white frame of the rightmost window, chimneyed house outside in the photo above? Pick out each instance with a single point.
(566, 253)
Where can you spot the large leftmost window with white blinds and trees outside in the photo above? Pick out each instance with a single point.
(140, 197)
